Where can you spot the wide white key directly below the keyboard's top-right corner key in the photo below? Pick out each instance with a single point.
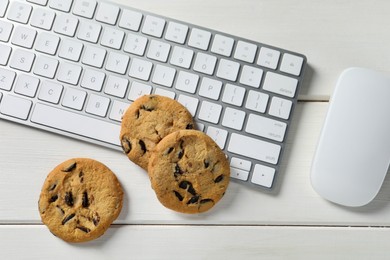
(280, 84)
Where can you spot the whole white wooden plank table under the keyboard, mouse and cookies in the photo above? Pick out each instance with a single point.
(293, 222)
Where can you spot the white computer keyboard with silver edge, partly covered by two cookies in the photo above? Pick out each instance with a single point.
(73, 66)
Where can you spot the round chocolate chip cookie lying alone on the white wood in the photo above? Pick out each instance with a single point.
(80, 199)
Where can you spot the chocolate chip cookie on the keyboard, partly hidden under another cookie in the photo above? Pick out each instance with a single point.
(148, 120)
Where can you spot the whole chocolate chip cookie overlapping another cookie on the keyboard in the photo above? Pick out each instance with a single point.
(188, 171)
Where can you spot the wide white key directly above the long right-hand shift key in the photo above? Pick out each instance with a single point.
(266, 127)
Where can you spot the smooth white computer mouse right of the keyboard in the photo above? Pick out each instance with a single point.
(353, 153)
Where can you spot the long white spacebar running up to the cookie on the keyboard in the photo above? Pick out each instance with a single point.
(76, 123)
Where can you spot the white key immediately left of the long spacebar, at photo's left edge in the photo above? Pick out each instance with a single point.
(15, 107)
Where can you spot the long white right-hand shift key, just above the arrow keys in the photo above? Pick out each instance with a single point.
(254, 148)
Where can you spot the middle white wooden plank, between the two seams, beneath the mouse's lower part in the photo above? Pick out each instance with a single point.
(27, 155)
